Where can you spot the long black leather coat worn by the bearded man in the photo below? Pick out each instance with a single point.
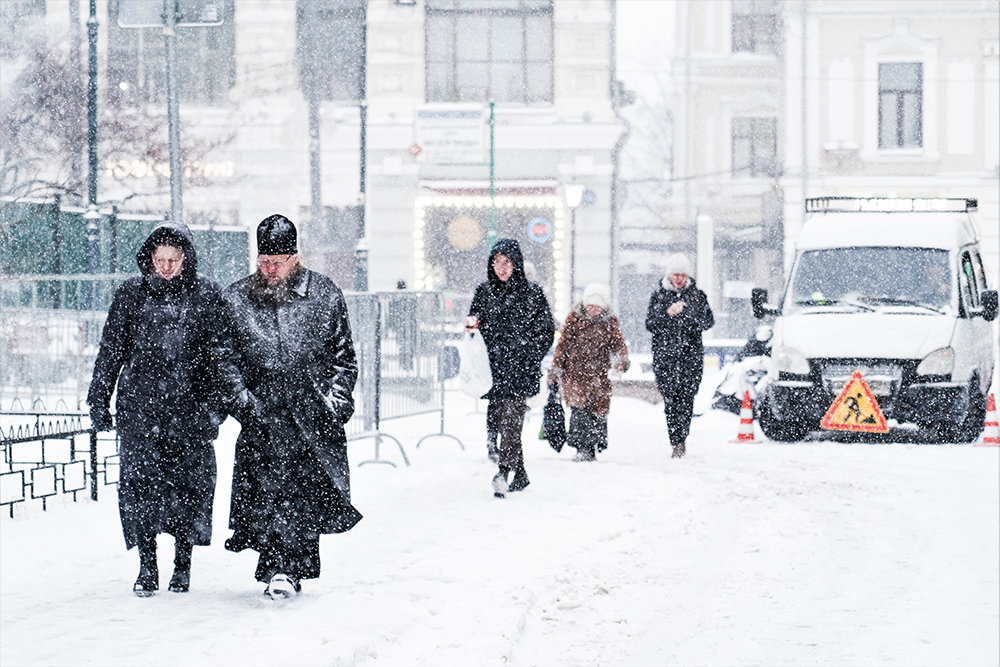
(297, 364)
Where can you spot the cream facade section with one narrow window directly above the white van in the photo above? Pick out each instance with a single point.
(894, 99)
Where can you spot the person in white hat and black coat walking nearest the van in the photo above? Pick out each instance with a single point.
(678, 314)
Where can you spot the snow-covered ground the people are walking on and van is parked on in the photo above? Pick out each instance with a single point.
(738, 554)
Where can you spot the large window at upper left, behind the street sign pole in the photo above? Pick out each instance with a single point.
(206, 61)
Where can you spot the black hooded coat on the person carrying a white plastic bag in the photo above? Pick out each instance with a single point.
(516, 324)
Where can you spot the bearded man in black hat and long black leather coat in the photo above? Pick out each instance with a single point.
(292, 348)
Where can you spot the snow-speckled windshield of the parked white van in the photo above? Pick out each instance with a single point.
(871, 278)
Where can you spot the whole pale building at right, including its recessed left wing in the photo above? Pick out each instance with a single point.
(887, 98)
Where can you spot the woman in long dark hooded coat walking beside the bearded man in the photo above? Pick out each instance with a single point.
(162, 346)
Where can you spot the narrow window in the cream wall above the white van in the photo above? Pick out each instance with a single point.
(900, 105)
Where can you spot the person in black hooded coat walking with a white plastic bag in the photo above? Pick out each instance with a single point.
(516, 322)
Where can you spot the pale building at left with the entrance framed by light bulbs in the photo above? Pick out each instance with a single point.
(412, 80)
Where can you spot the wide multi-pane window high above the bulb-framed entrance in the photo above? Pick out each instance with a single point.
(478, 50)
